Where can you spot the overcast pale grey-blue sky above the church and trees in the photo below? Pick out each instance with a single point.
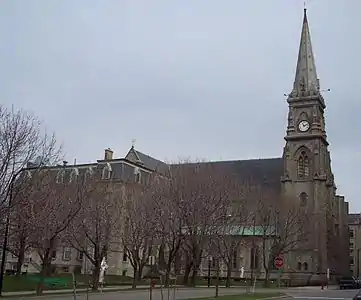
(199, 78)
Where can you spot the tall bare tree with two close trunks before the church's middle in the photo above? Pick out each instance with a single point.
(211, 192)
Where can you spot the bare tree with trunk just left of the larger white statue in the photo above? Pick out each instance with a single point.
(96, 230)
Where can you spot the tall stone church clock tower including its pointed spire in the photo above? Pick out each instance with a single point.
(307, 176)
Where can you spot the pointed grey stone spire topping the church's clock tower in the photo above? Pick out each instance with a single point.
(306, 81)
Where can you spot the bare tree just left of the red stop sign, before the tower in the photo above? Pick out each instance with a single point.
(282, 226)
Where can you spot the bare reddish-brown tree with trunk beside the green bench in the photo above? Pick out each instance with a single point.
(51, 206)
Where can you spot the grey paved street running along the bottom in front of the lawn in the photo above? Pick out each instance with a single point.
(311, 293)
